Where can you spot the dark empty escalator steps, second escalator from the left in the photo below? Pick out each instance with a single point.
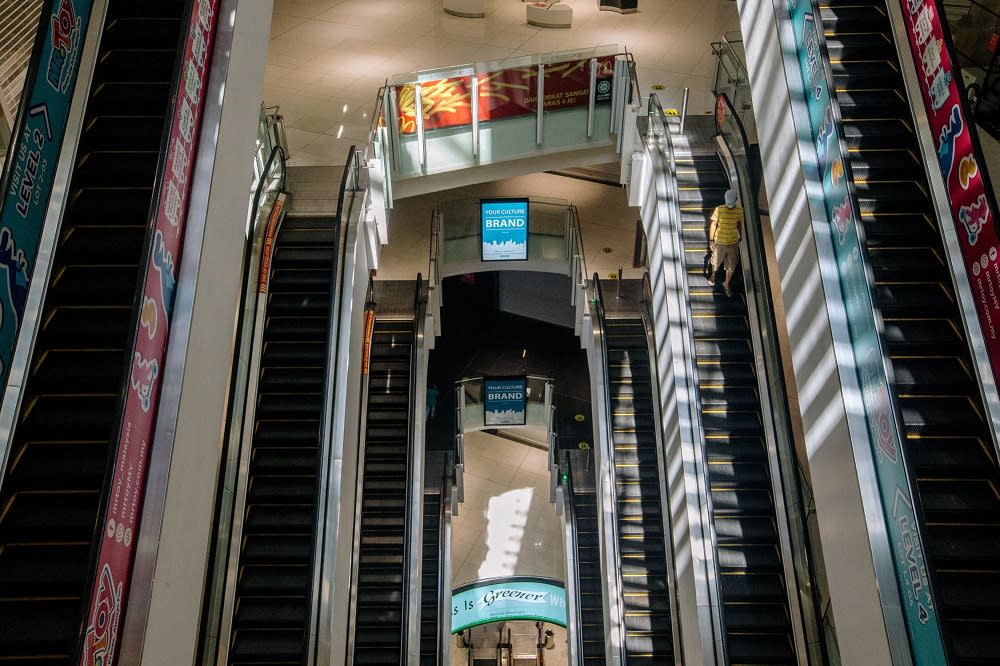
(274, 574)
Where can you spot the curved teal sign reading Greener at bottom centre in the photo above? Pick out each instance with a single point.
(502, 599)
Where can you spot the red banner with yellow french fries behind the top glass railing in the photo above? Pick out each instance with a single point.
(503, 94)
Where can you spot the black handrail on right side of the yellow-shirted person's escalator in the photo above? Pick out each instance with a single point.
(778, 432)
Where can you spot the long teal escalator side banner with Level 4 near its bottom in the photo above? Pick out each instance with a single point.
(919, 611)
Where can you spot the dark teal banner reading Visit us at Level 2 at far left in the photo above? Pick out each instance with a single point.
(38, 138)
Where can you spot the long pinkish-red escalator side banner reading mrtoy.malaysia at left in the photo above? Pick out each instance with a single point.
(109, 593)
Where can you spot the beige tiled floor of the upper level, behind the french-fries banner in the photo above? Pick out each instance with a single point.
(327, 58)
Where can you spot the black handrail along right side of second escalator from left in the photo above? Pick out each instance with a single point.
(322, 567)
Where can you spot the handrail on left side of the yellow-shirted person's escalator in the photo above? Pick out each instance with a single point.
(695, 430)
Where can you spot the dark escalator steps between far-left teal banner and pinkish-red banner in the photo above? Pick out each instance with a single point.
(65, 432)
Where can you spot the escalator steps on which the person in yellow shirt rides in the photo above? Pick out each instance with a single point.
(751, 580)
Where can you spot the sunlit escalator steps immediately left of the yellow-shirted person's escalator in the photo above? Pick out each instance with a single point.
(642, 540)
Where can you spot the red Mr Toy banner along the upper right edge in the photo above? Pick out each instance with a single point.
(970, 206)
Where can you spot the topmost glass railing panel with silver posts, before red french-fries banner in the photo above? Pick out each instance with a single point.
(451, 118)
